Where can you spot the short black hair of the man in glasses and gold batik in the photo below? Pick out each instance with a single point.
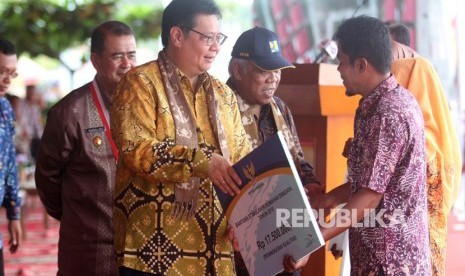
(183, 13)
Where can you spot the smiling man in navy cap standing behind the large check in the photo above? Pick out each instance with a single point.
(255, 73)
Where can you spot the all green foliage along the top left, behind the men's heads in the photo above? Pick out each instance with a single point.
(47, 27)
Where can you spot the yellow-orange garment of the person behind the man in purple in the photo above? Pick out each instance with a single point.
(444, 164)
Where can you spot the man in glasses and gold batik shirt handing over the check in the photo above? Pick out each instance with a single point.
(178, 131)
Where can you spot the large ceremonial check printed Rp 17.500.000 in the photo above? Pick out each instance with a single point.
(271, 216)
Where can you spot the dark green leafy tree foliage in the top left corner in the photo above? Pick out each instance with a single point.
(44, 27)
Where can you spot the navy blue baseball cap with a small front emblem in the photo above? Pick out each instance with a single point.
(261, 46)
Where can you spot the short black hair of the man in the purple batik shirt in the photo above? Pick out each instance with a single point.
(366, 37)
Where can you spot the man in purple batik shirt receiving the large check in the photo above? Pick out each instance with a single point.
(386, 163)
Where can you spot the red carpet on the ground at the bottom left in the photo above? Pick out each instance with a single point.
(37, 255)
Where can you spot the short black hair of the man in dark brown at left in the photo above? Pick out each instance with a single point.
(97, 41)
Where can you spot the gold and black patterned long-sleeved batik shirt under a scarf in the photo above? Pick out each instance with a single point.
(147, 237)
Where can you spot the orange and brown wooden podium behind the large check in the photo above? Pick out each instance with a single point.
(324, 118)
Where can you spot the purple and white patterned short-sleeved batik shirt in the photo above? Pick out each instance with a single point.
(388, 157)
